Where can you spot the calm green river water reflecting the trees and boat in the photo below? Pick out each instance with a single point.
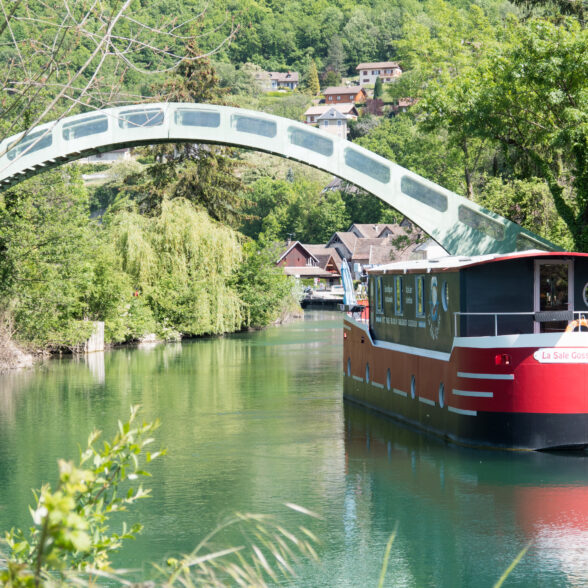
(255, 420)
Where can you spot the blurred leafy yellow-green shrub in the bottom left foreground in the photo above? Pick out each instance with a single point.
(70, 524)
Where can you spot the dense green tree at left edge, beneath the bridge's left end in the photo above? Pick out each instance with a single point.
(46, 251)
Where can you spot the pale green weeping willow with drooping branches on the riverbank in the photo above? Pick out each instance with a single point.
(181, 264)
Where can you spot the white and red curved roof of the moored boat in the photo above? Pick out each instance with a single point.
(453, 262)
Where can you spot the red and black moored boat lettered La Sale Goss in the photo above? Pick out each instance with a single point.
(487, 351)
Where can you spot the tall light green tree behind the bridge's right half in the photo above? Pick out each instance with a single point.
(447, 47)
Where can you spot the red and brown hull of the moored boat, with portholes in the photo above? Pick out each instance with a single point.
(479, 394)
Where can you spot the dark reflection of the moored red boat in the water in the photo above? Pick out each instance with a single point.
(465, 514)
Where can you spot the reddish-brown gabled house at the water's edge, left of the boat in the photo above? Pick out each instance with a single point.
(311, 261)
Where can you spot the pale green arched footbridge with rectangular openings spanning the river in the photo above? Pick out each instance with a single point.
(457, 224)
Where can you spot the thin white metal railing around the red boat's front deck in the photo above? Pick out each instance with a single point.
(481, 324)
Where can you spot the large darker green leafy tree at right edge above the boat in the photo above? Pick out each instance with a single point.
(532, 97)
